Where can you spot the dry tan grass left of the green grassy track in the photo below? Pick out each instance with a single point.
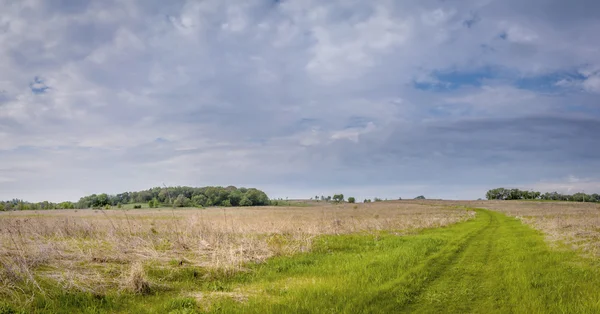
(93, 250)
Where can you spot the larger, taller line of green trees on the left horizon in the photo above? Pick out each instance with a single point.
(180, 196)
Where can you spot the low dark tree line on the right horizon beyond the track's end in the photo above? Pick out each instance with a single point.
(516, 194)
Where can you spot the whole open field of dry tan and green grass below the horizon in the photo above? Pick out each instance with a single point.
(397, 256)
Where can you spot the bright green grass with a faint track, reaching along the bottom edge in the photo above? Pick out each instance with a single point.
(491, 264)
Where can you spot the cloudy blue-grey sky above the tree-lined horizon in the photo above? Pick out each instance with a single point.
(386, 99)
